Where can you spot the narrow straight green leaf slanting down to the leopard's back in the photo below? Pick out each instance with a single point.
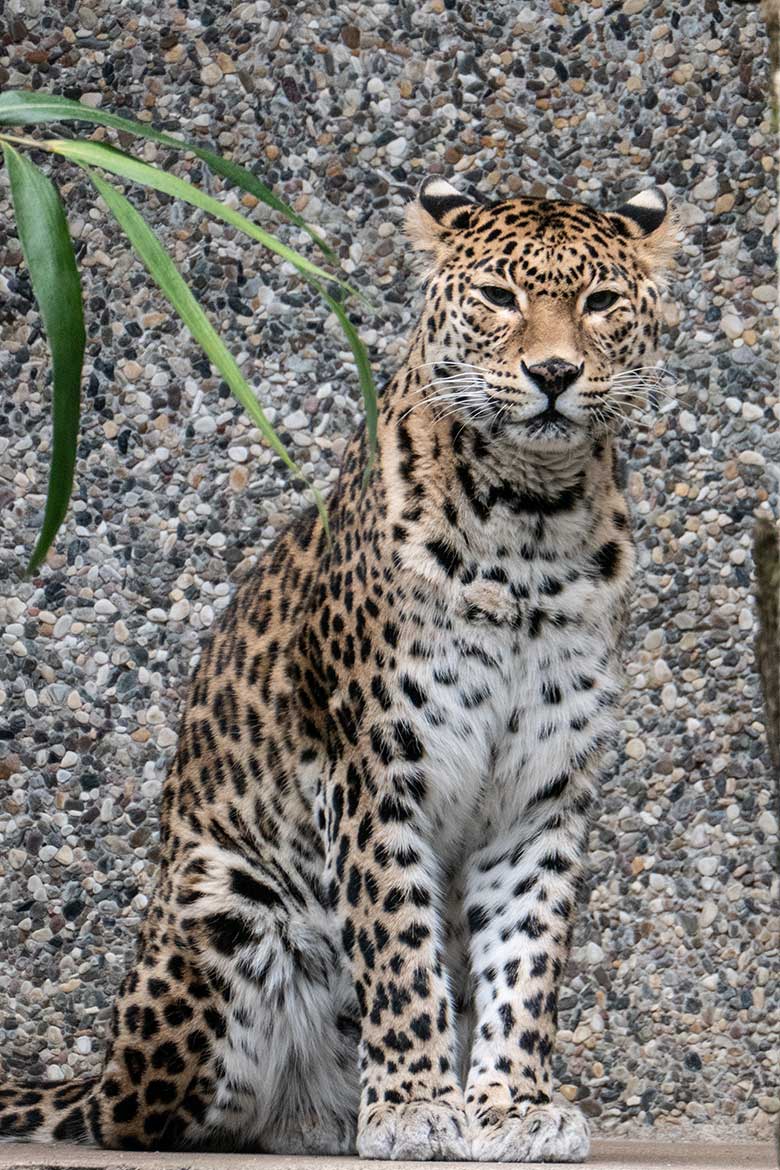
(164, 273)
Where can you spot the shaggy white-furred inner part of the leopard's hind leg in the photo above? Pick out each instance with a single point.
(285, 1051)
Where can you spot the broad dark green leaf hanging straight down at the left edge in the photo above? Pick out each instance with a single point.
(46, 244)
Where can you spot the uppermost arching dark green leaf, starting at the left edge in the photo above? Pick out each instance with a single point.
(26, 108)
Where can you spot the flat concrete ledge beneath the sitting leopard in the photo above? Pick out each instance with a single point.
(615, 1154)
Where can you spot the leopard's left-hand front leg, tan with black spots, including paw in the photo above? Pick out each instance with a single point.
(385, 887)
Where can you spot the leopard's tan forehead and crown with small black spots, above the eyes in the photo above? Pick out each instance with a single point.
(549, 240)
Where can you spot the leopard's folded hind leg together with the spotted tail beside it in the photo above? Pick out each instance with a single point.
(237, 1028)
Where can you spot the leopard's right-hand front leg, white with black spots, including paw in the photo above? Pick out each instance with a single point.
(521, 901)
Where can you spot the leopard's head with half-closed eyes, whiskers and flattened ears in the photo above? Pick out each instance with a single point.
(542, 318)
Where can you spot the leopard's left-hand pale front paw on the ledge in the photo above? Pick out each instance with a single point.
(416, 1132)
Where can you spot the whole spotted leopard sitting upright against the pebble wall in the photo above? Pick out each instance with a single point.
(374, 835)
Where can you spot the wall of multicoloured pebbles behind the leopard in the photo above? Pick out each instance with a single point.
(671, 1014)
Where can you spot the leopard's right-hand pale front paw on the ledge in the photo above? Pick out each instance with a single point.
(540, 1133)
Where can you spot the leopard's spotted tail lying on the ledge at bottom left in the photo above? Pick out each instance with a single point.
(46, 1112)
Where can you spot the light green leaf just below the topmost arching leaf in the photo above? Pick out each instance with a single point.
(116, 162)
